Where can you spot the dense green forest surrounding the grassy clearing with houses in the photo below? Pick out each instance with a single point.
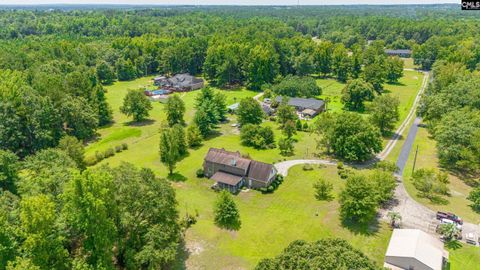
(54, 65)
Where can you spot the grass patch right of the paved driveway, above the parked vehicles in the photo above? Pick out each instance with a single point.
(427, 158)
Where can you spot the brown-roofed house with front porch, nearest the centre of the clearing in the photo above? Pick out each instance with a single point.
(232, 171)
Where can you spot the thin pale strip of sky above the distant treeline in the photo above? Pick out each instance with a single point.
(226, 2)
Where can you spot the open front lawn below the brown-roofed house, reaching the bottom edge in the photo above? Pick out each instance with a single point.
(270, 222)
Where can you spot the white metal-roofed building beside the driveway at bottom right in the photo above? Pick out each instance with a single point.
(412, 249)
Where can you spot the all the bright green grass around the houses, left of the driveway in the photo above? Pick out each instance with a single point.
(269, 222)
